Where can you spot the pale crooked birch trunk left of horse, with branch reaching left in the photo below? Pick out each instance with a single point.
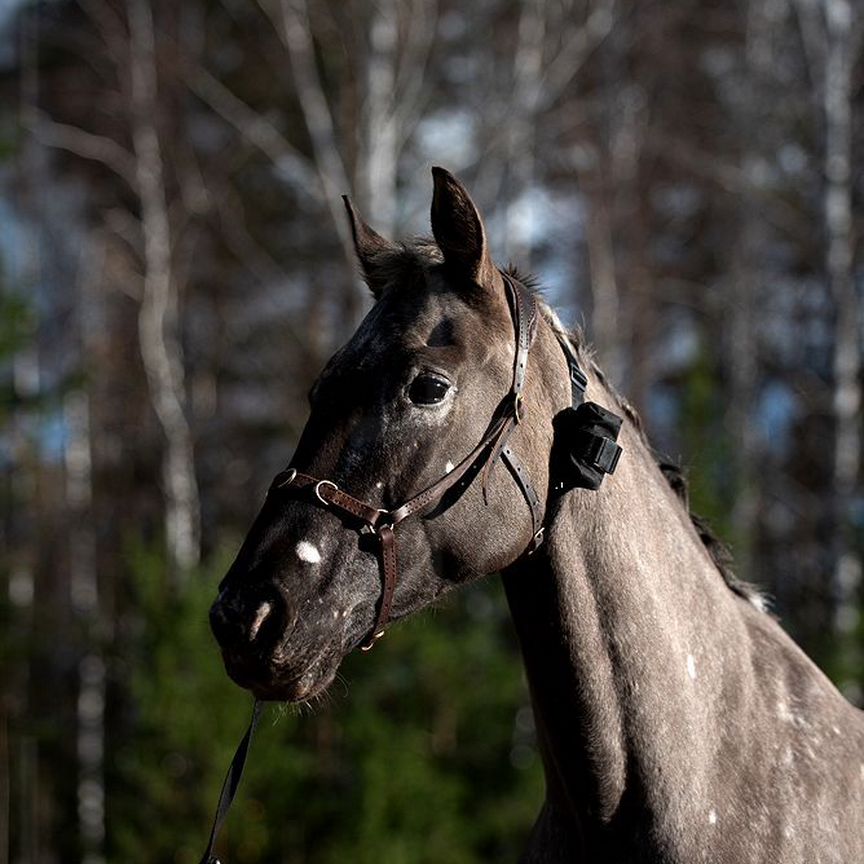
(158, 322)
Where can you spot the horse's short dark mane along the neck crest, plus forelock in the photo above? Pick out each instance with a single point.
(423, 253)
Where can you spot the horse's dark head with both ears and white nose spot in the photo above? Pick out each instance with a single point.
(429, 374)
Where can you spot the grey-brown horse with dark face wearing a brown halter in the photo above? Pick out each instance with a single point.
(677, 722)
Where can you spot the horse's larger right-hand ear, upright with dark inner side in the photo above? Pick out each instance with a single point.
(458, 228)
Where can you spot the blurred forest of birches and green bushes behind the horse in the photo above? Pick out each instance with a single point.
(175, 268)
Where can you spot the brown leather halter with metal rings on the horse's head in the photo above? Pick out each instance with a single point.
(382, 523)
